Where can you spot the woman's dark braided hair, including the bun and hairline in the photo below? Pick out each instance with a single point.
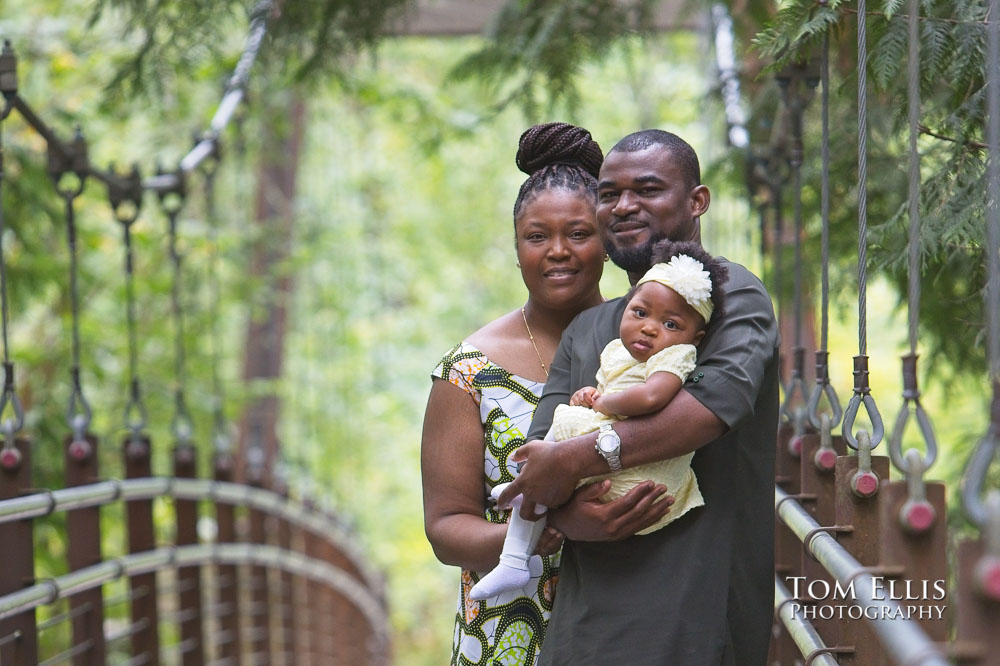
(557, 155)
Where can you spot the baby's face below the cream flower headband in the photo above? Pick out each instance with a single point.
(656, 318)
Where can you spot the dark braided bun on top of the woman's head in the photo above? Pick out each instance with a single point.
(558, 143)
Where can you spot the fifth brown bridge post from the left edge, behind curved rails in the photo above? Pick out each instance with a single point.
(228, 640)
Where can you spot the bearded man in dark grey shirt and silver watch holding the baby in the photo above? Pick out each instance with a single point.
(699, 591)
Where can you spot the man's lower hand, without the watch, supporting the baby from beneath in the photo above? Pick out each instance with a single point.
(586, 518)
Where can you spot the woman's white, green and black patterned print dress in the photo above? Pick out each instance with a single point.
(507, 629)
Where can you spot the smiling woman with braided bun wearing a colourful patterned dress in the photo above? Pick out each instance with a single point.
(486, 388)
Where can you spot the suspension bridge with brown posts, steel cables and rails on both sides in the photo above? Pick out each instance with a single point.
(863, 574)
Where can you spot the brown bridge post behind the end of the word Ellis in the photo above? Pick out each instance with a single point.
(921, 556)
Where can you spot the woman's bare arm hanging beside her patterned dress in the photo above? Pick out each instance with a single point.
(451, 466)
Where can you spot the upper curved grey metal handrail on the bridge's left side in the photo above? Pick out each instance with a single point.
(45, 502)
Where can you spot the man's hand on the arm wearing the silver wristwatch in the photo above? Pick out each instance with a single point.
(546, 477)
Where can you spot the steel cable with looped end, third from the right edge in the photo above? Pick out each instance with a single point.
(862, 392)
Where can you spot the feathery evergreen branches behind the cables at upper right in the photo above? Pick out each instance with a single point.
(952, 115)
